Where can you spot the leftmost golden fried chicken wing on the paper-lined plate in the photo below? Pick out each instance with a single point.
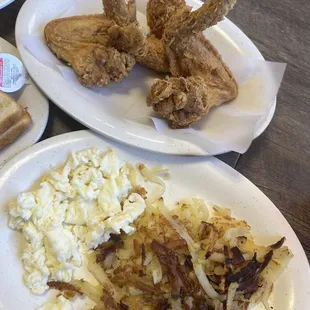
(83, 42)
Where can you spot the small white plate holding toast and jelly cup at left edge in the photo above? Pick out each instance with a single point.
(31, 98)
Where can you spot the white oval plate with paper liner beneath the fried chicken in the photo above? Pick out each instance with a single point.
(119, 110)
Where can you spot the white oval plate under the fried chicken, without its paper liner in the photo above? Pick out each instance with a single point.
(35, 13)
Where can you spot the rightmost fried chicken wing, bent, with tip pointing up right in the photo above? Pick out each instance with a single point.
(200, 79)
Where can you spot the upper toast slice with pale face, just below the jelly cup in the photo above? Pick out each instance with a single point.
(10, 112)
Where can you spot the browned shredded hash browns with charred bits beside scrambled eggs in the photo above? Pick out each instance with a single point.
(187, 257)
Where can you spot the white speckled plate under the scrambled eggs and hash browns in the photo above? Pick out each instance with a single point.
(207, 178)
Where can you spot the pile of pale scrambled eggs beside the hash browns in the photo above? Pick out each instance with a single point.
(75, 209)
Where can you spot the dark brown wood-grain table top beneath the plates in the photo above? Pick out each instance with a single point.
(278, 162)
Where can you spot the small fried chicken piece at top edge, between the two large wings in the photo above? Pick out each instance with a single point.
(158, 12)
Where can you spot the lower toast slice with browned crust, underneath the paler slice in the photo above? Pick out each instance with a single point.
(16, 130)
